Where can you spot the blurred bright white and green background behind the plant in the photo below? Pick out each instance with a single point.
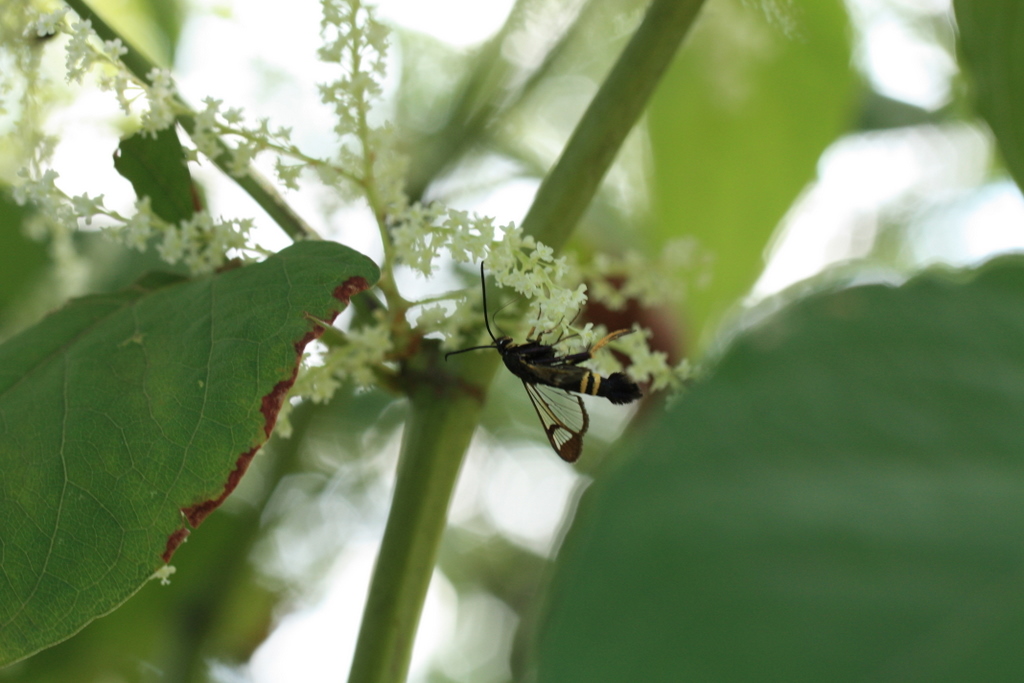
(792, 138)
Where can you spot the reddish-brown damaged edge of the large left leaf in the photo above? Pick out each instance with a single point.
(270, 407)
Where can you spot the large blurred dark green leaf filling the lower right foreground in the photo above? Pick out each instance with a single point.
(842, 499)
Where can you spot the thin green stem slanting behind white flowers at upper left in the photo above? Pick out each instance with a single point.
(255, 185)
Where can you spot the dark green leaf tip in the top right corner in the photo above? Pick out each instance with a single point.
(992, 45)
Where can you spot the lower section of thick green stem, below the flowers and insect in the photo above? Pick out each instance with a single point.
(444, 414)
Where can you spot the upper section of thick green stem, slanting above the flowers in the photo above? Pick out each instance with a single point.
(569, 189)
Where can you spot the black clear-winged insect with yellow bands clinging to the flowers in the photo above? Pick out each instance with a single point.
(549, 379)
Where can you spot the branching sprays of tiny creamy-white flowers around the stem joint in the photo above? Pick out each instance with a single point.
(368, 162)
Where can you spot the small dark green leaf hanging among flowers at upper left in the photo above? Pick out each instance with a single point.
(157, 168)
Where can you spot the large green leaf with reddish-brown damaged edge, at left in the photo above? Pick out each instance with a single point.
(127, 418)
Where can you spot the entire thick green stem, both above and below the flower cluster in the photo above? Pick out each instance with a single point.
(445, 409)
